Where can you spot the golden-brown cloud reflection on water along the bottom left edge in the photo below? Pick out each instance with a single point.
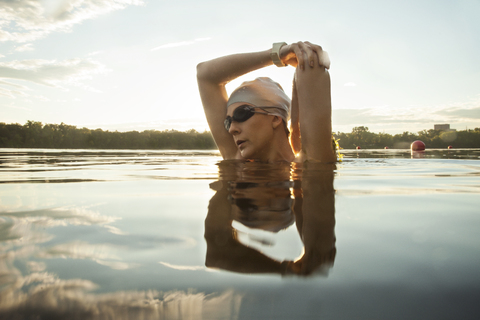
(44, 295)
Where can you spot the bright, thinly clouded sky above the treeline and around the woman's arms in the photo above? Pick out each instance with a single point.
(131, 64)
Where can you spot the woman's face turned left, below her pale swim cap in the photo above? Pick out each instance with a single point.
(253, 137)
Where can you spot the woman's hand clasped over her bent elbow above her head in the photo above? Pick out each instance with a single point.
(304, 54)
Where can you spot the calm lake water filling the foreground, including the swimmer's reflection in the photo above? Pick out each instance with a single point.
(116, 234)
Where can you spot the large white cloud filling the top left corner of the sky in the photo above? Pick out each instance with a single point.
(28, 20)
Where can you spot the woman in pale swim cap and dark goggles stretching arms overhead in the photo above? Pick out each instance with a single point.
(251, 124)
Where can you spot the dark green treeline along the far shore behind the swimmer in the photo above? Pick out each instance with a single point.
(34, 134)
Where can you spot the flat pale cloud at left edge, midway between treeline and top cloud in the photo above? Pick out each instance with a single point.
(50, 73)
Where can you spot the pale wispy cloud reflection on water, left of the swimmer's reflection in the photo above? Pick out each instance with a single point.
(27, 229)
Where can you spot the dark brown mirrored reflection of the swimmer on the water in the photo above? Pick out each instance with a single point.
(269, 205)
